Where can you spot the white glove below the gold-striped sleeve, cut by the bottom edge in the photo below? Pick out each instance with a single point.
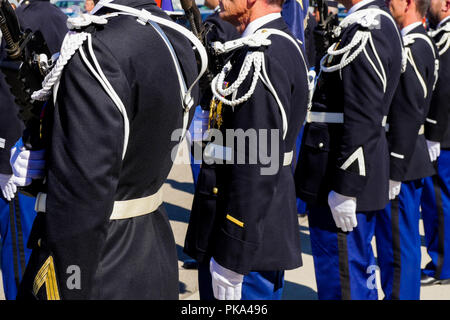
(227, 284)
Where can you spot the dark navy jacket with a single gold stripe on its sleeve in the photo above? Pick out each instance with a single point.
(245, 220)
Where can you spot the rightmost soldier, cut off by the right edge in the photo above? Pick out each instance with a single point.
(436, 192)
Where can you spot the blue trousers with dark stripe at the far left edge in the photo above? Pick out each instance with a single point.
(16, 220)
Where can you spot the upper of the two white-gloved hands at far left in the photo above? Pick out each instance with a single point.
(26, 164)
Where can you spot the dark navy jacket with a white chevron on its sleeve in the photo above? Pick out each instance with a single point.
(352, 158)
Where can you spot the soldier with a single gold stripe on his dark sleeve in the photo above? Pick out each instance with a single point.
(243, 227)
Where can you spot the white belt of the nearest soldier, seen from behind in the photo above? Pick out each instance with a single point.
(122, 209)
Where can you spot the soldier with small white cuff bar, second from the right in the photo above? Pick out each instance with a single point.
(397, 231)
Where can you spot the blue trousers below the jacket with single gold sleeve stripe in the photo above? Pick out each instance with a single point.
(264, 285)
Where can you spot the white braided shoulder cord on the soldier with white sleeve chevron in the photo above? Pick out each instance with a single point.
(368, 19)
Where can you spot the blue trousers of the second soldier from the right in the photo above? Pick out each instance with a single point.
(398, 243)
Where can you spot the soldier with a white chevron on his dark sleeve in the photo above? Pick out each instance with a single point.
(343, 168)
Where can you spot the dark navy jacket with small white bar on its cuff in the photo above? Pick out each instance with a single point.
(409, 158)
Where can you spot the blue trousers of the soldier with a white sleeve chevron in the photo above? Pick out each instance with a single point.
(344, 262)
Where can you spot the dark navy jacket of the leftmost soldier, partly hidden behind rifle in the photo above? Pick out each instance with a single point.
(35, 15)
